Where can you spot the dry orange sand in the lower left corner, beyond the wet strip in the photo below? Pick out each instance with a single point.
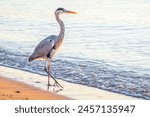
(13, 90)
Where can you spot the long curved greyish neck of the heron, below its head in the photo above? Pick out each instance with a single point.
(62, 26)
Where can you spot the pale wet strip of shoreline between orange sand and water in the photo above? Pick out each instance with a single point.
(72, 91)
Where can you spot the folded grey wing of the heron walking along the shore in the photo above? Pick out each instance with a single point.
(44, 47)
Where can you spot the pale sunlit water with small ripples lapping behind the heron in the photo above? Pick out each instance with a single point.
(107, 44)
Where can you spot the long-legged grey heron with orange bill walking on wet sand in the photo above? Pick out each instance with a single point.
(46, 49)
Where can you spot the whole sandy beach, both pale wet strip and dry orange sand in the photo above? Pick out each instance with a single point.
(34, 88)
